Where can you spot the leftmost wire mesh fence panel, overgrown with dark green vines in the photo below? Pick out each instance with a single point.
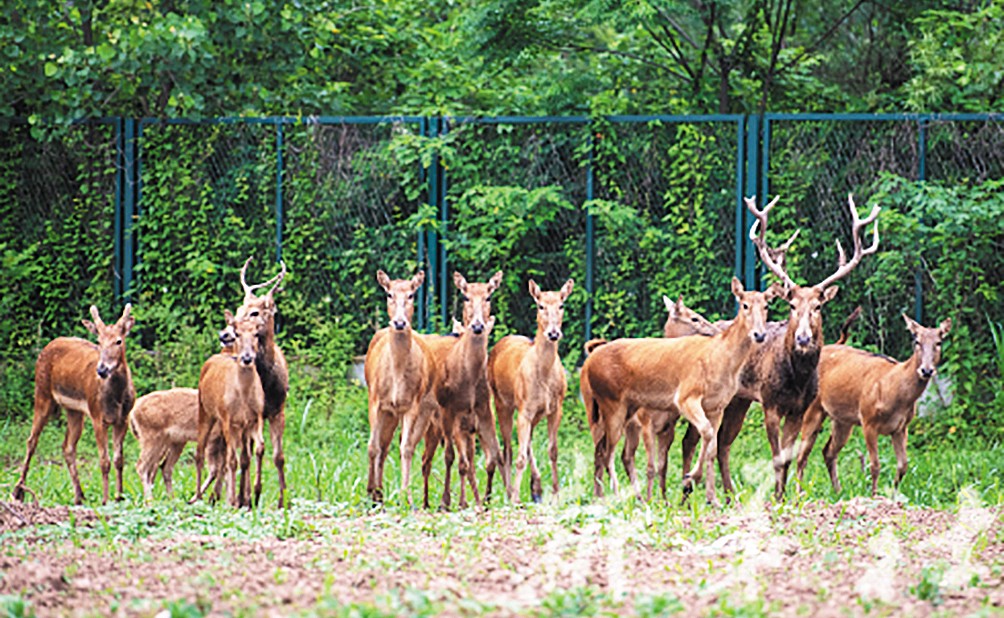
(58, 220)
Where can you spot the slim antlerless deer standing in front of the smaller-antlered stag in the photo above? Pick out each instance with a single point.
(231, 396)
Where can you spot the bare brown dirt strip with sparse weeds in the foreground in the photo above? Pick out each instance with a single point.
(860, 557)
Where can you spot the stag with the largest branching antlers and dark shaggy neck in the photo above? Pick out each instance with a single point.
(783, 374)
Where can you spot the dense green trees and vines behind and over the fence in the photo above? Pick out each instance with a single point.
(63, 62)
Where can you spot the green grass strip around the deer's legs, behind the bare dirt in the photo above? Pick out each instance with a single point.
(326, 445)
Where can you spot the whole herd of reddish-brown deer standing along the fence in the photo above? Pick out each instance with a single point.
(440, 389)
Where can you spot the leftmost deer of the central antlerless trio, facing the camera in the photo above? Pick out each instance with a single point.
(399, 372)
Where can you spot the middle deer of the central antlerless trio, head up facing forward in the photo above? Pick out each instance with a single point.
(460, 395)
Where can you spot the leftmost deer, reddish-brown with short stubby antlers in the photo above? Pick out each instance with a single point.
(85, 379)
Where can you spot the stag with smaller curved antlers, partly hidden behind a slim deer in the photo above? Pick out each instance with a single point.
(273, 371)
